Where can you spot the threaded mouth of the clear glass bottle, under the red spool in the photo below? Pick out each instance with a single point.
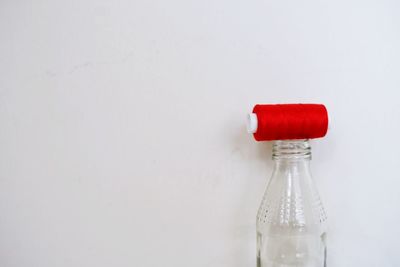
(291, 149)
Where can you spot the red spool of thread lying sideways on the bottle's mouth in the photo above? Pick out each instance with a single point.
(288, 121)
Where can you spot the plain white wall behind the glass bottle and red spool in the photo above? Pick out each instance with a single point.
(122, 139)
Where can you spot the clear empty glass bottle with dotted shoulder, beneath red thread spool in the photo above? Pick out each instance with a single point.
(291, 222)
